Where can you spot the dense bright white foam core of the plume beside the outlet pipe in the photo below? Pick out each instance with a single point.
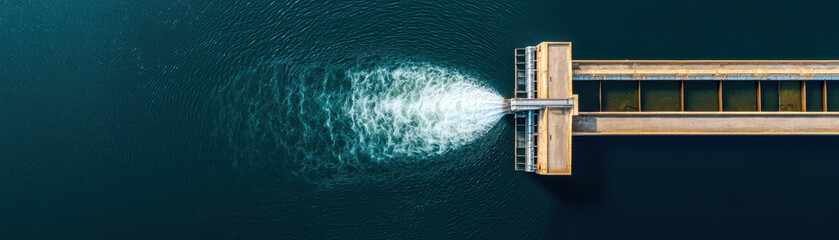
(416, 110)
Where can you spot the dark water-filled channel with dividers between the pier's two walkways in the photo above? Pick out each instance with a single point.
(767, 96)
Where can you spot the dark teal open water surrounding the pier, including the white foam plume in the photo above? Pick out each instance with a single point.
(376, 119)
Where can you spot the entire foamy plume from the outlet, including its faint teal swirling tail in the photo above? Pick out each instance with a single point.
(321, 121)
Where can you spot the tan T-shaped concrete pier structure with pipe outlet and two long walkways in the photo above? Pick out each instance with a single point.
(557, 98)
